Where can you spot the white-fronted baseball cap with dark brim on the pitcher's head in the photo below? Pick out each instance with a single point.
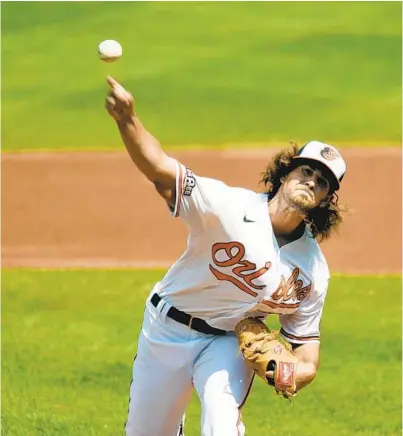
(327, 155)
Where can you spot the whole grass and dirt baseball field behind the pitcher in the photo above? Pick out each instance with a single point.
(223, 85)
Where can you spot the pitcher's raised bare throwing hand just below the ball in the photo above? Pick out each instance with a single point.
(119, 102)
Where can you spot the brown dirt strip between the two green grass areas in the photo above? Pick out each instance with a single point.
(84, 209)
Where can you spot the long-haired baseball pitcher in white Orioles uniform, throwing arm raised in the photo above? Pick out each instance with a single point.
(248, 255)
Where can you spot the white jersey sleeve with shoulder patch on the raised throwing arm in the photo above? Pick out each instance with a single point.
(199, 201)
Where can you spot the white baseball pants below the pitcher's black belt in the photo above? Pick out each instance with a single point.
(171, 360)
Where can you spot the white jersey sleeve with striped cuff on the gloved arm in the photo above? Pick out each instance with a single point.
(303, 325)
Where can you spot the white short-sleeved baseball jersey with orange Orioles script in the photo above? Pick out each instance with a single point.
(233, 266)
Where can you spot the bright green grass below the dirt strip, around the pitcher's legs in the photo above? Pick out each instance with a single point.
(69, 338)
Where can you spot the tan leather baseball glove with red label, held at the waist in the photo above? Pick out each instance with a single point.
(265, 351)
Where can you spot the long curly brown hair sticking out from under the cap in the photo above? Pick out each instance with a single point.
(321, 221)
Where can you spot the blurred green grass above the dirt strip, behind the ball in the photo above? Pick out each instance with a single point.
(203, 72)
